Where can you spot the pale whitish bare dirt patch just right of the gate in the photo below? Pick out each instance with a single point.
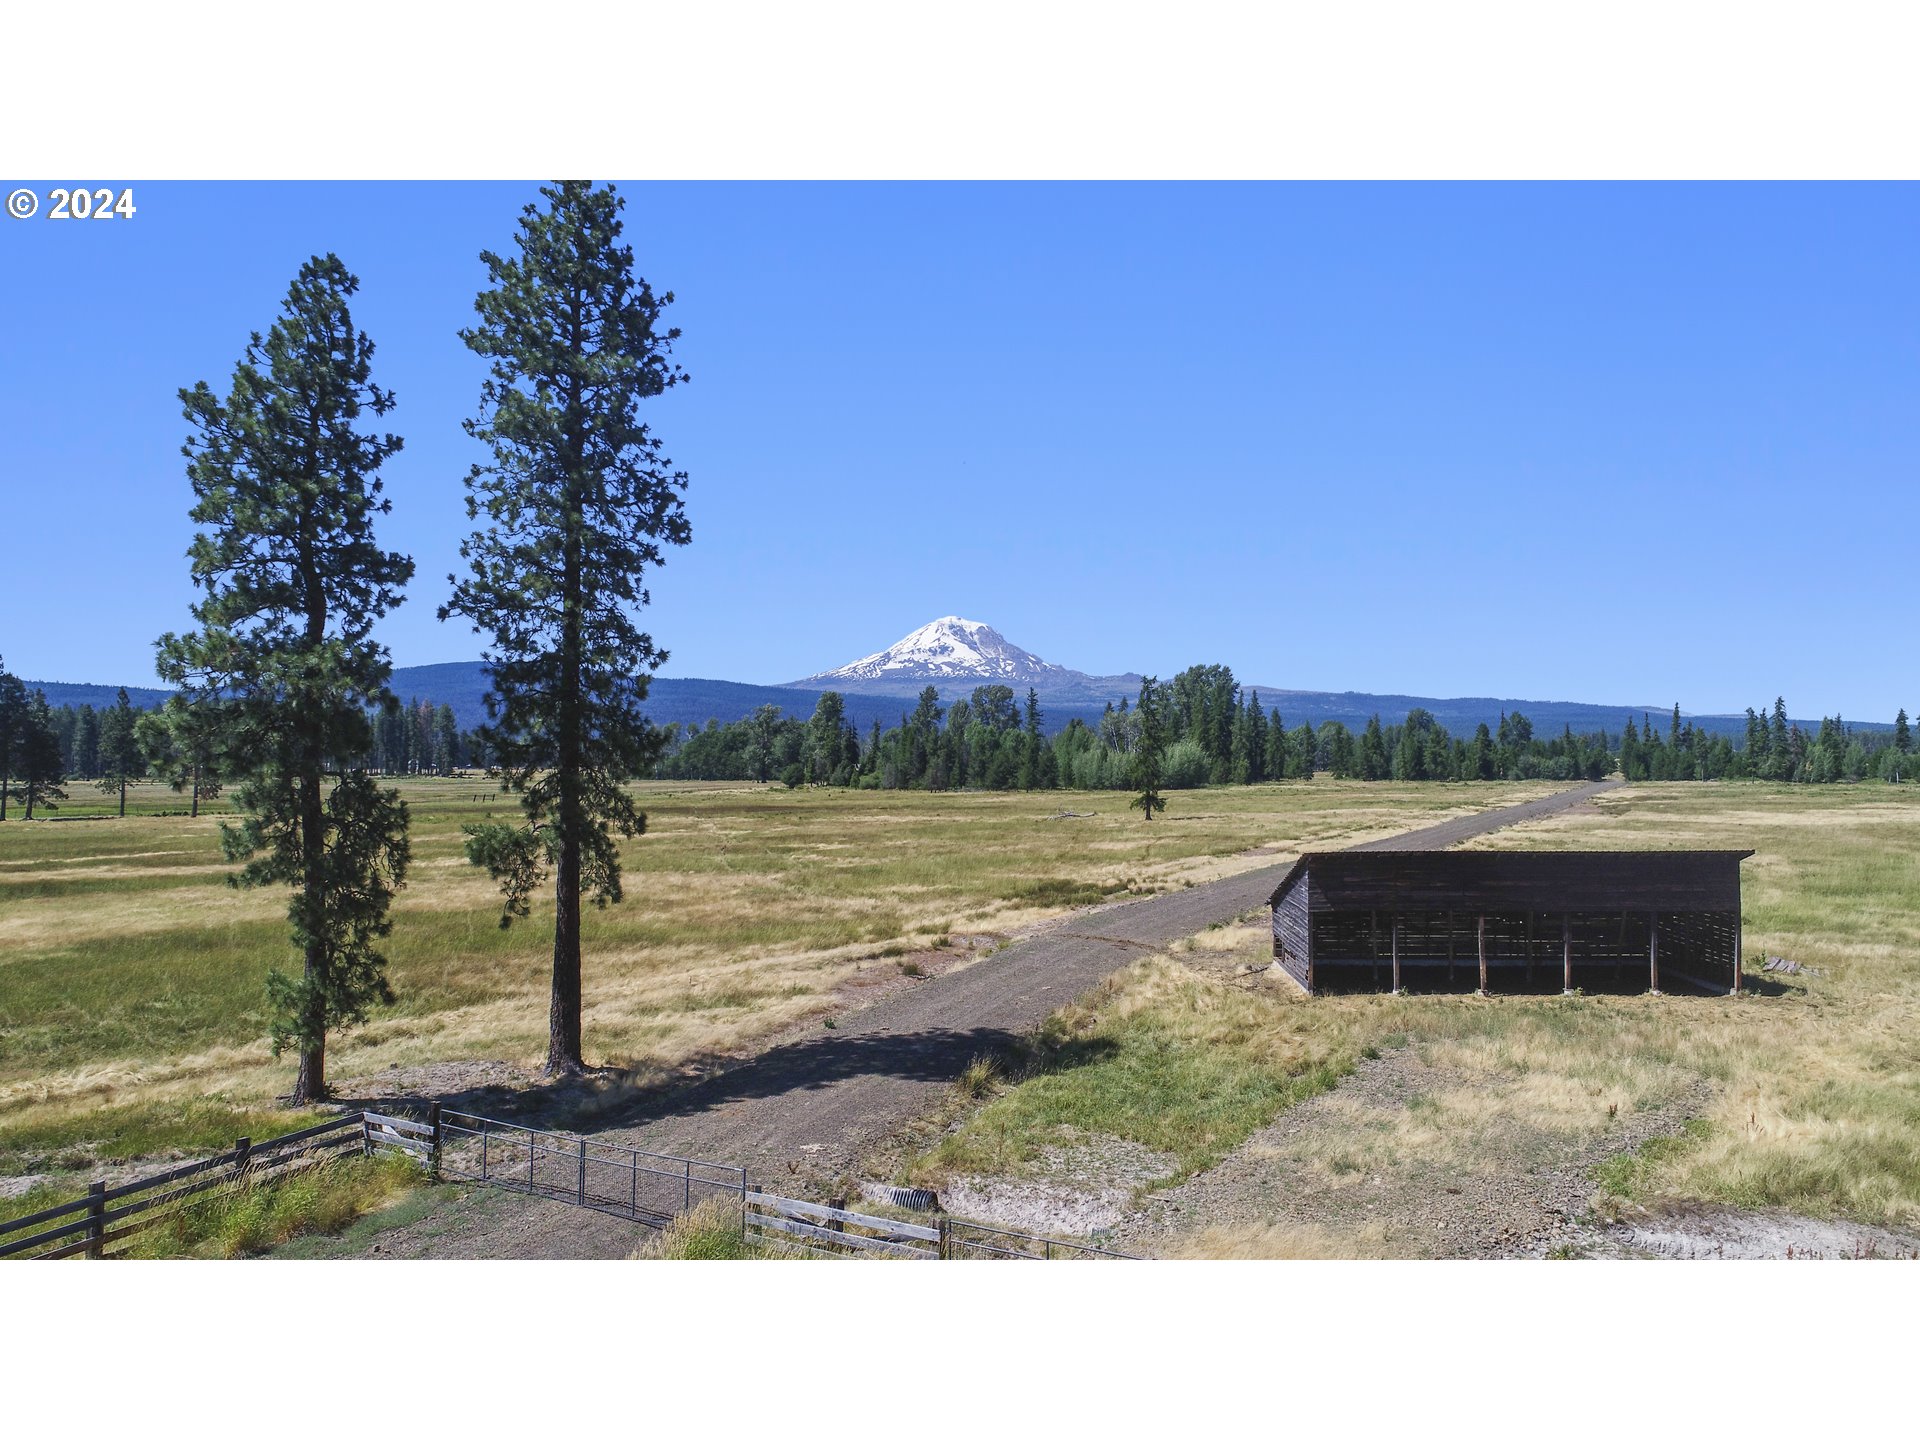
(1070, 1189)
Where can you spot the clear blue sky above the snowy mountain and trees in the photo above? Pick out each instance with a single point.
(1623, 444)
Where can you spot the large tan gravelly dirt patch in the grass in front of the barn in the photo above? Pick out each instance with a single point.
(1404, 1159)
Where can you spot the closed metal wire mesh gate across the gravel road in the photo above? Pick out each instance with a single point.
(617, 1180)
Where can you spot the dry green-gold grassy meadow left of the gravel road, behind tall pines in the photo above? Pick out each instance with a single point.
(132, 1005)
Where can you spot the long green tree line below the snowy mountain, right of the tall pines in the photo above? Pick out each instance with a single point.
(1212, 732)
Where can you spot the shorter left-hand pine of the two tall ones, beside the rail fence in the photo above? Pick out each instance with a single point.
(283, 665)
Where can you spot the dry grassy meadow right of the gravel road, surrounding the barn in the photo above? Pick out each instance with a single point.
(1806, 1090)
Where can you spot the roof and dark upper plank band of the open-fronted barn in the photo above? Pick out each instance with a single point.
(1518, 880)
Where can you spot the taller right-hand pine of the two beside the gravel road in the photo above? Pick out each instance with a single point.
(579, 502)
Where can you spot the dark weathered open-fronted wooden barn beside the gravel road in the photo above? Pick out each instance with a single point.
(1510, 921)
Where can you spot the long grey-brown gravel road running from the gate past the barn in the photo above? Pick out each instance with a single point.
(809, 1109)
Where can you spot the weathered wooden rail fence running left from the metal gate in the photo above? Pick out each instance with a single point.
(101, 1224)
